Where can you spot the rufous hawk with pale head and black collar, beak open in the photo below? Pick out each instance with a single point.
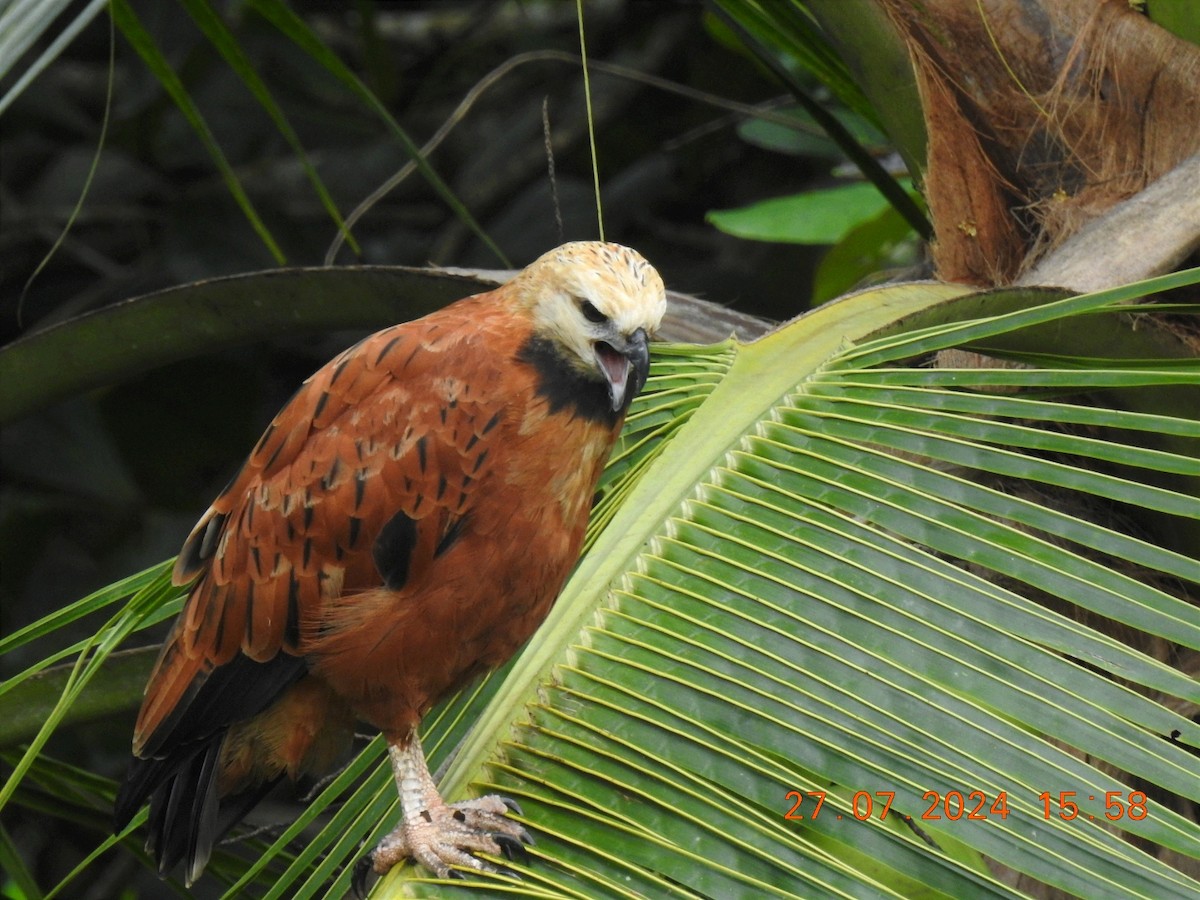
(403, 526)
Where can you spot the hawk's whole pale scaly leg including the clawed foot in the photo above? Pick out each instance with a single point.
(441, 835)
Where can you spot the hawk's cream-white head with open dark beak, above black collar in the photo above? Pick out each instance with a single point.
(595, 307)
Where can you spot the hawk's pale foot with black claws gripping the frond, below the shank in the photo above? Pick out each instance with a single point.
(448, 835)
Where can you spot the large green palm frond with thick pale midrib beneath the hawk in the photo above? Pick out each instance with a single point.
(823, 583)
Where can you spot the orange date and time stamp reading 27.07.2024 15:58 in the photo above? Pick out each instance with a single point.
(976, 806)
